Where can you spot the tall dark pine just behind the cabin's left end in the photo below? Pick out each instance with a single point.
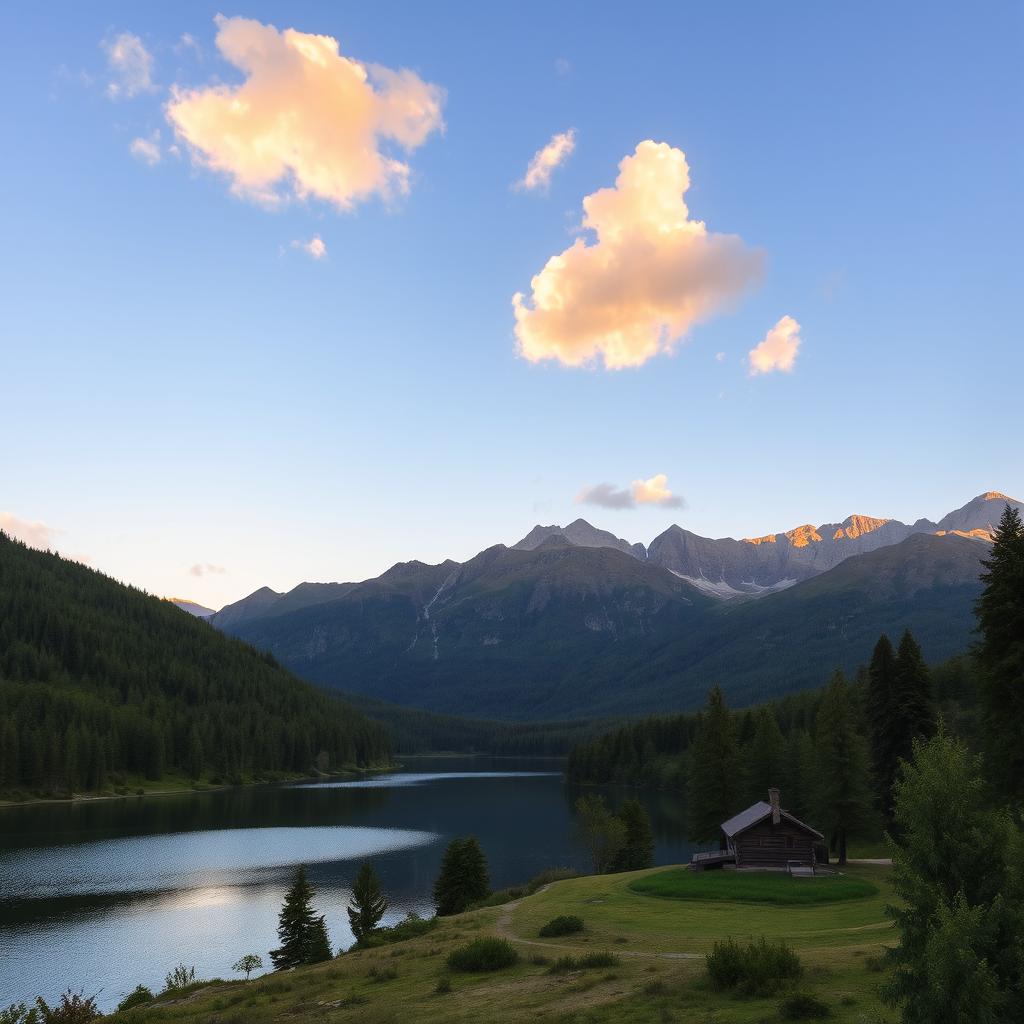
(714, 787)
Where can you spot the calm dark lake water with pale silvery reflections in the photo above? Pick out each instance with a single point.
(104, 897)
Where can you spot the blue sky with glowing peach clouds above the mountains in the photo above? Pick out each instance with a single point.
(298, 291)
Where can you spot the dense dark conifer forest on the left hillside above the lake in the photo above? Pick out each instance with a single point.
(103, 686)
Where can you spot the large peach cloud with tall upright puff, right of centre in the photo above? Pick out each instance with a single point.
(650, 276)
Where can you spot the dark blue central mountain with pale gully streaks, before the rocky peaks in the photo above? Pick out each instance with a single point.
(495, 636)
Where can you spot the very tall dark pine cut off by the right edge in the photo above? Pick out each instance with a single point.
(1001, 655)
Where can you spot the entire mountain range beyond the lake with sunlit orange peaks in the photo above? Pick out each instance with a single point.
(574, 622)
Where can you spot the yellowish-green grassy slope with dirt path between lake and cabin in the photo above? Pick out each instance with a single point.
(660, 976)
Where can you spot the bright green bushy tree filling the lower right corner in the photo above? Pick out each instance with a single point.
(958, 876)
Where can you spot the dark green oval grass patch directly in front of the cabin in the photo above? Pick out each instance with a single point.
(753, 887)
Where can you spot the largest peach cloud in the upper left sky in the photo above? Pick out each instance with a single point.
(308, 122)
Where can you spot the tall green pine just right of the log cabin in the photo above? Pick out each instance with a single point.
(844, 794)
